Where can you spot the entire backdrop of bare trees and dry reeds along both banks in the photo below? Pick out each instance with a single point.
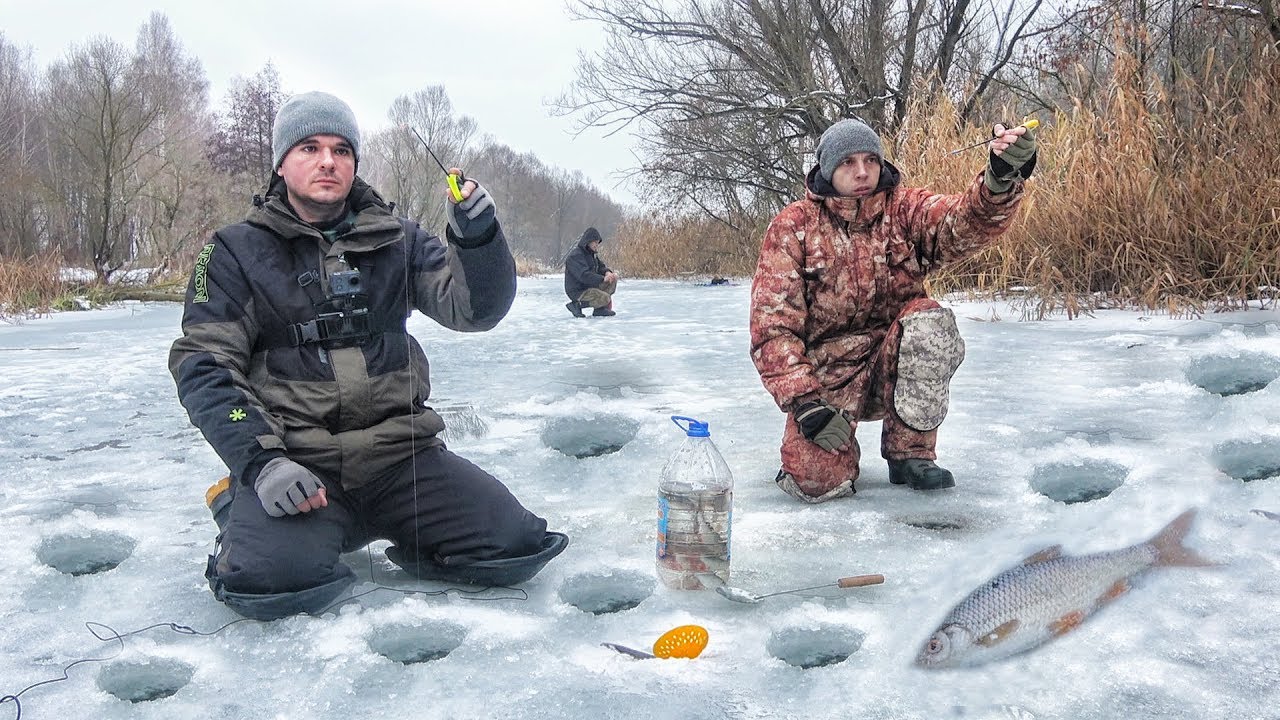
(1156, 179)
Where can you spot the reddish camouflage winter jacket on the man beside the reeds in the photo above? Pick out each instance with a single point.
(835, 274)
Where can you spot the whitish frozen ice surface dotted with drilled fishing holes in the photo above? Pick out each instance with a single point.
(1091, 434)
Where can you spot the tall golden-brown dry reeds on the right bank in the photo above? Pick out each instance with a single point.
(1135, 209)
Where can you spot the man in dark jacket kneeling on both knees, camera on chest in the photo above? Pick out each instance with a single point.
(296, 366)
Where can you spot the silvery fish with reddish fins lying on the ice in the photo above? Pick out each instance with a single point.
(1048, 596)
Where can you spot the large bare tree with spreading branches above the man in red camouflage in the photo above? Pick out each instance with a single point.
(728, 97)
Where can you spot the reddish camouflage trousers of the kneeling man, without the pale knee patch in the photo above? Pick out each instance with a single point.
(817, 472)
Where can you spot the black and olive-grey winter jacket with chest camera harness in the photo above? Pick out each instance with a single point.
(259, 386)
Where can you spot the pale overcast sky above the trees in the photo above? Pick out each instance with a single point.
(500, 61)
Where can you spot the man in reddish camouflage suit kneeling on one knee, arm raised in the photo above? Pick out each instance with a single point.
(842, 327)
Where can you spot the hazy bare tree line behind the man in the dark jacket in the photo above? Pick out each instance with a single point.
(113, 158)
